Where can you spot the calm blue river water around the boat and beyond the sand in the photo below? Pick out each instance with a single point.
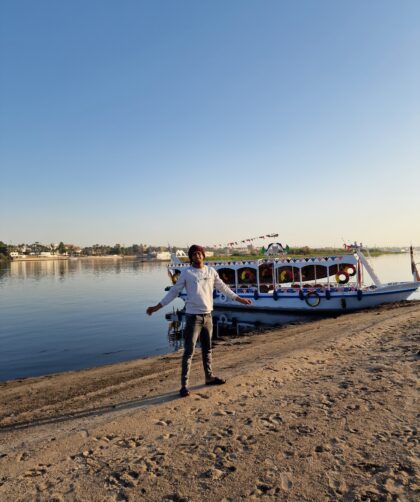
(66, 315)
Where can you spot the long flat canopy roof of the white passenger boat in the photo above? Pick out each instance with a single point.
(325, 261)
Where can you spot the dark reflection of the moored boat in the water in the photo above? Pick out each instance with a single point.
(233, 322)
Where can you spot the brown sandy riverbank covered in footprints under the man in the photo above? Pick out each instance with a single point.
(319, 411)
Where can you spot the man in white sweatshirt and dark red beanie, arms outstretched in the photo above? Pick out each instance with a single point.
(199, 282)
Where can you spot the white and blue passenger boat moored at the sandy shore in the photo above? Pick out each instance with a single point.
(307, 285)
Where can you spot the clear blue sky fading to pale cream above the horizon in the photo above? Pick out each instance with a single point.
(210, 121)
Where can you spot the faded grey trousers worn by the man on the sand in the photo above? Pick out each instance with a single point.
(197, 325)
